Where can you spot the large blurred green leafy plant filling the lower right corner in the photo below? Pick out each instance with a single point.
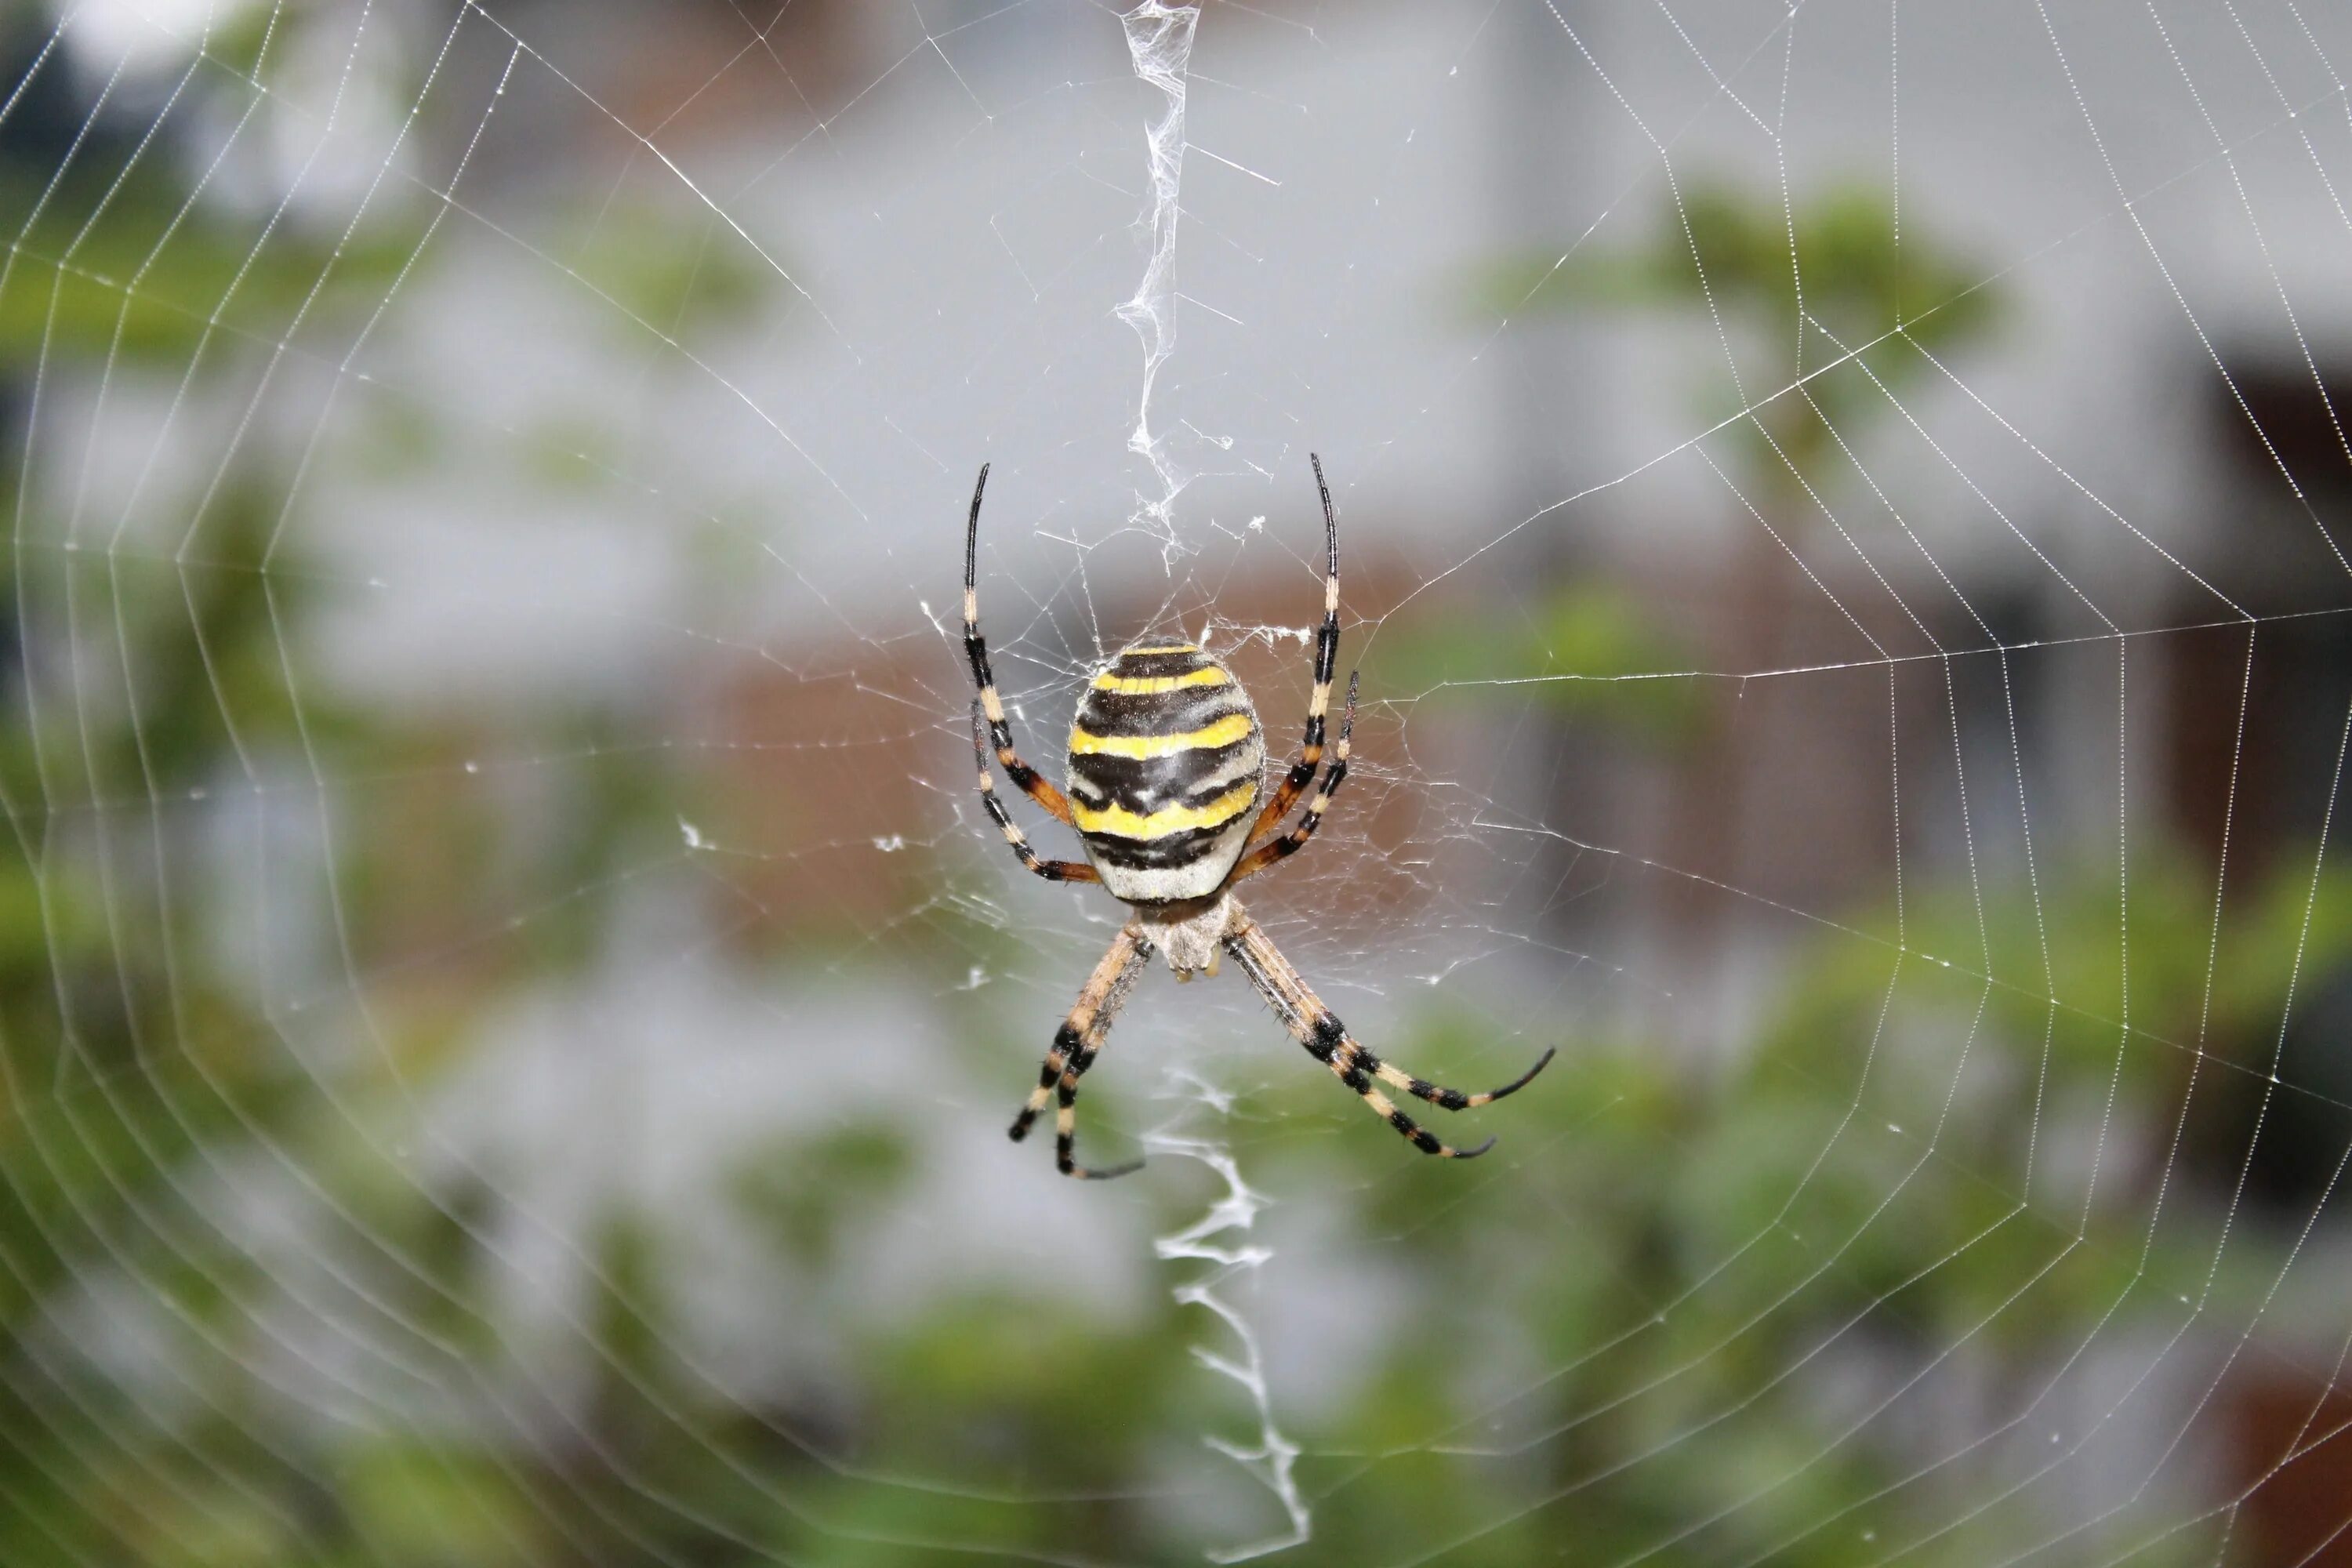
(1713, 1280)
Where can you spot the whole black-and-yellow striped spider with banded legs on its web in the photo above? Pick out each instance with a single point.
(1165, 765)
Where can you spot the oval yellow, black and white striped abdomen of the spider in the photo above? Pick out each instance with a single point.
(1165, 768)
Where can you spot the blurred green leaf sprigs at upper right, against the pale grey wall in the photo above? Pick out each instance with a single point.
(1829, 321)
